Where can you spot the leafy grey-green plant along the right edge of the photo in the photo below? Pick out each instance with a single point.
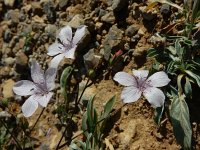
(182, 64)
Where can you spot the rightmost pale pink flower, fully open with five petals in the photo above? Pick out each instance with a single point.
(138, 84)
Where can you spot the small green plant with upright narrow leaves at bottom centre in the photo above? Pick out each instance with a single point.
(93, 127)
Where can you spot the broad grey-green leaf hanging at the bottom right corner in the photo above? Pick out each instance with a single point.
(179, 114)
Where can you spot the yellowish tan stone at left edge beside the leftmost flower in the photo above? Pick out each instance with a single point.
(7, 88)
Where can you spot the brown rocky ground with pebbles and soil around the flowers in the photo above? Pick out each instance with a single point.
(27, 28)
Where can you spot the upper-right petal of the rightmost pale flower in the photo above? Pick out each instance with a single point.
(158, 79)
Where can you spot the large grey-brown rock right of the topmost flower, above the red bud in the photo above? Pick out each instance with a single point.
(113, 41)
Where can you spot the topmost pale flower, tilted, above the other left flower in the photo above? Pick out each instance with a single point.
(66, 45)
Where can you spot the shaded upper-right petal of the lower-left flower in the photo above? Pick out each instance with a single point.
(50, 76)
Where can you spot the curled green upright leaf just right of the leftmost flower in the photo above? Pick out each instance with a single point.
(64, 79)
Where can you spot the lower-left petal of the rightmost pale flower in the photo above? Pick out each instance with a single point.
(130, 94)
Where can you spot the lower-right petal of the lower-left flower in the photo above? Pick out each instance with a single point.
(43, 100)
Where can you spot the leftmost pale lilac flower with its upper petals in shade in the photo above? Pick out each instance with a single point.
(39, 89)
